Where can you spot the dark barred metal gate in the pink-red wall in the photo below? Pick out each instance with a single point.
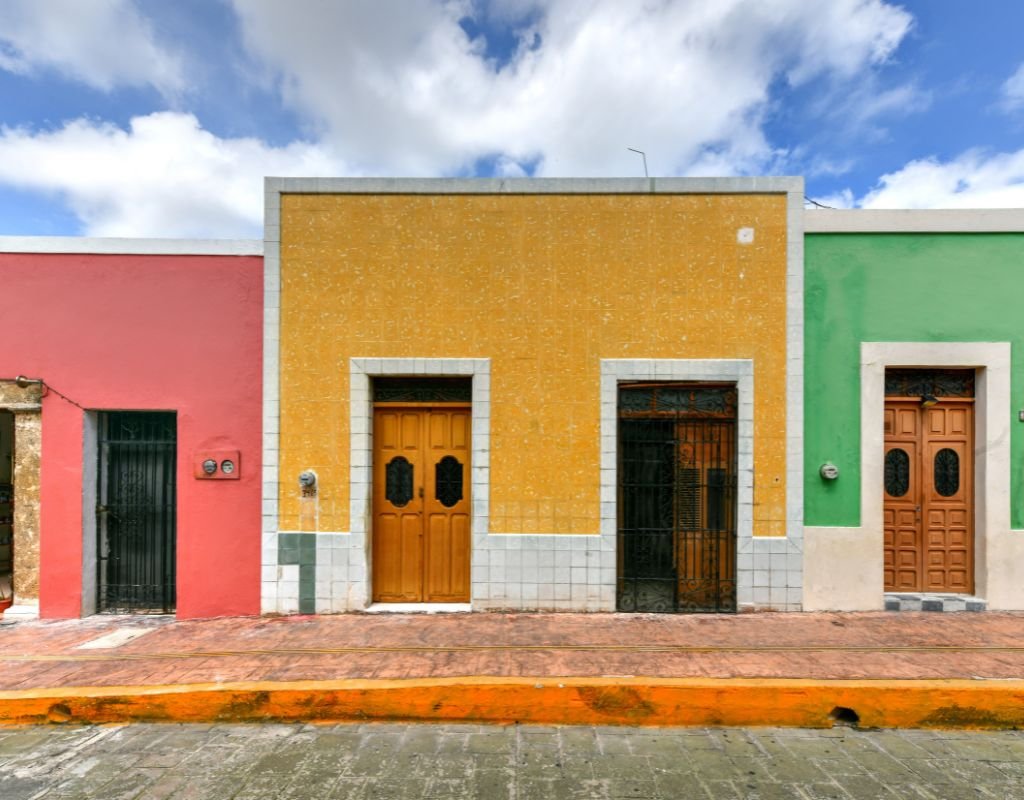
(136, 513)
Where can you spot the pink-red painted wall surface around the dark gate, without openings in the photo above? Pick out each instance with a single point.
(146, 332)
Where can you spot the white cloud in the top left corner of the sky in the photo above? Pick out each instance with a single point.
(103, 44)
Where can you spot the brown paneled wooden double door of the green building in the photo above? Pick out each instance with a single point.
(929, 496)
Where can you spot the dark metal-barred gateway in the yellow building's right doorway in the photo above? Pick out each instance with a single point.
(677, 497)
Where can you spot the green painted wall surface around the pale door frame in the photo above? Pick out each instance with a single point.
(898, 287)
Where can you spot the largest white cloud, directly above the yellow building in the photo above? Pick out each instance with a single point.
(401, 89)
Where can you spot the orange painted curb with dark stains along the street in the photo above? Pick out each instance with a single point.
(937, 704)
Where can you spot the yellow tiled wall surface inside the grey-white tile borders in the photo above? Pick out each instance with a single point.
(545, 286)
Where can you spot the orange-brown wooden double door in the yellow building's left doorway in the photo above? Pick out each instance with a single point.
(421, 504)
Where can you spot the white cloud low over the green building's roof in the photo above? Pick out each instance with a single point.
(975, 180)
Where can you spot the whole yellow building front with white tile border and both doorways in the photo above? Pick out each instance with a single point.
(532, 318)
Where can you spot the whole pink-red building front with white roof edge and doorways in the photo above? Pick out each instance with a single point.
(131, 426)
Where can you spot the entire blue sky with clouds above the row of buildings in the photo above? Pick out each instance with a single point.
(155, 118)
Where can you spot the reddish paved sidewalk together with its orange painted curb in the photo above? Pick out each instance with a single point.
(885, 669)
